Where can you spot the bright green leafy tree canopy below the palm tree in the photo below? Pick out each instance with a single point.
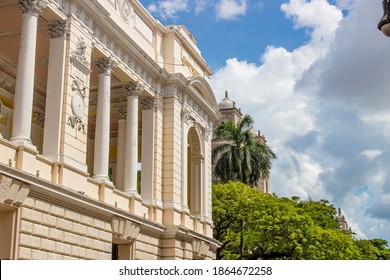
(254, 225)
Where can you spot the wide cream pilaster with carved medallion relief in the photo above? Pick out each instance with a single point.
(74, 118)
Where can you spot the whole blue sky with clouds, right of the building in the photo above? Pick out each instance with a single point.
(313, 74)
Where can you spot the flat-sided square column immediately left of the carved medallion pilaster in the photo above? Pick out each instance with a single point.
(55, 90)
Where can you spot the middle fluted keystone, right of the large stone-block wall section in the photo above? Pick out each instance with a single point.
(124, 229)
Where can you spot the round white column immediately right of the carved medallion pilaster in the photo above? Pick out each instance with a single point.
(102, 130)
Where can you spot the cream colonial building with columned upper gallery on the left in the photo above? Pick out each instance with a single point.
(94, 93)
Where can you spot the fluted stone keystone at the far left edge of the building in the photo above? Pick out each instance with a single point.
(12, 191)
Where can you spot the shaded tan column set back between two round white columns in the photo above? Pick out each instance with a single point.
(120, 153)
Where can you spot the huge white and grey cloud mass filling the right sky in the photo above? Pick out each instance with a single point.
(323, 108)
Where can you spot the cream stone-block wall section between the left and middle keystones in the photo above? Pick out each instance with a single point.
(50, 231)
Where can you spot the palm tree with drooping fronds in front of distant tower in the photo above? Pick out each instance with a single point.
(239, 155)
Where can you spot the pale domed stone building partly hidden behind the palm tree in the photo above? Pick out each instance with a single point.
(227, 108)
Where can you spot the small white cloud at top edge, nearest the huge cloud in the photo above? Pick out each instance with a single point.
(230, 9)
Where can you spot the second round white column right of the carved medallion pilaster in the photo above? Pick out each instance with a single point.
(133, 91)
